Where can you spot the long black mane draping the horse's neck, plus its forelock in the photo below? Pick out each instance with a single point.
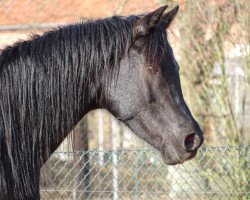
(43, 78)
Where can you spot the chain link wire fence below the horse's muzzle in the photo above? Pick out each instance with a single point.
(215, 173)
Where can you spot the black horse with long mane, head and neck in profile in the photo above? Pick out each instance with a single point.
(48, 83)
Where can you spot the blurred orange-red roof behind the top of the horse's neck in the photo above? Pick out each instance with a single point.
(41, 11)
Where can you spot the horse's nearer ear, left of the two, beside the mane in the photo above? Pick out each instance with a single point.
(144, 24)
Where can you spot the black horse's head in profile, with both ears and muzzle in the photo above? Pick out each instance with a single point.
(147, 95)
